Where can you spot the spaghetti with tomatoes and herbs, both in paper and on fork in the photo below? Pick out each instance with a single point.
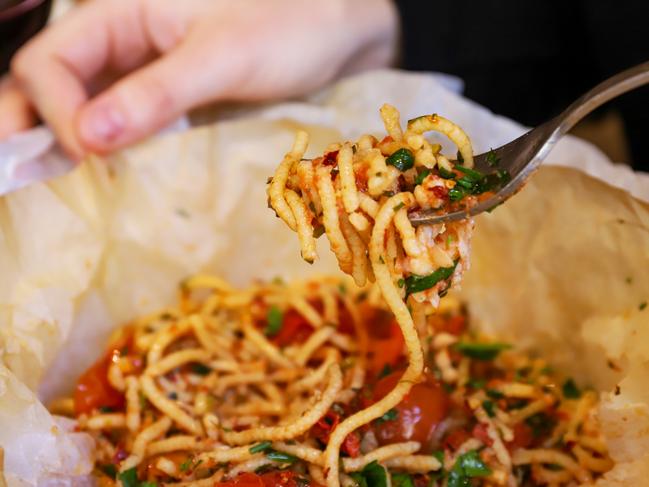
(328, 381)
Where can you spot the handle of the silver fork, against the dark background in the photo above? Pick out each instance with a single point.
(607, 90)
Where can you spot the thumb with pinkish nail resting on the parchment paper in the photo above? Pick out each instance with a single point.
(141, 103)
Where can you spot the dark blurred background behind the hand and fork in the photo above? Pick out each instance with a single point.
(523, 60)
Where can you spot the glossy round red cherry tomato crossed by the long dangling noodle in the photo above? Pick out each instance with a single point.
(417, 415)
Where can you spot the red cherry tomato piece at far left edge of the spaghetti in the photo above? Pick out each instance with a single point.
(93, 389)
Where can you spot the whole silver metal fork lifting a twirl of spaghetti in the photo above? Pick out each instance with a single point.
(521, 157)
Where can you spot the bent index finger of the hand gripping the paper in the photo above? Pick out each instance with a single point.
(56, 67)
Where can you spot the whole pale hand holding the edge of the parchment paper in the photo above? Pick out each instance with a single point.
(115, 71)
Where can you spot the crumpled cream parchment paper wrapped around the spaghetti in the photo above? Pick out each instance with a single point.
(560, 269)
